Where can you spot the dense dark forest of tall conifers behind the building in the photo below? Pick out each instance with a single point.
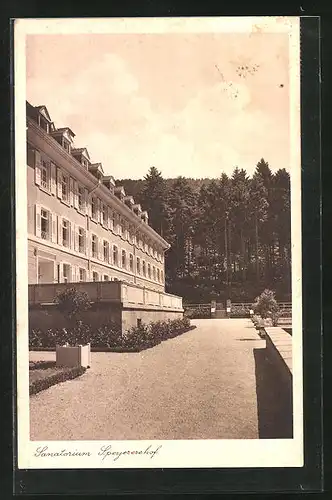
(230, 236)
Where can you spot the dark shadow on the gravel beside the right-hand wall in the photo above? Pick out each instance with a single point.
(274, 400)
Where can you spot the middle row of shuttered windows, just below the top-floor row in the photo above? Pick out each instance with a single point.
(62, 231)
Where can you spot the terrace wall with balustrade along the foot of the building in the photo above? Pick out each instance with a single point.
(116, 302)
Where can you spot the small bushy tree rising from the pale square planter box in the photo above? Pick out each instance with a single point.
(71, 303)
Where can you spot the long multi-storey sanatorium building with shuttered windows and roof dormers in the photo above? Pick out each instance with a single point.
(81, 226)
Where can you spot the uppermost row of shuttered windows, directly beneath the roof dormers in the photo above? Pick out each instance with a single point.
(53, 180)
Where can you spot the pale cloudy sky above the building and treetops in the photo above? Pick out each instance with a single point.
(194, 105)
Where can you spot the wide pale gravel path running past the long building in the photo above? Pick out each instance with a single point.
(200, 385)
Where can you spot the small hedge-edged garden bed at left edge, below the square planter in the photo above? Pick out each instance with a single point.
(45, 374)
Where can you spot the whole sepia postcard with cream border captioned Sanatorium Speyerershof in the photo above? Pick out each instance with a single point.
(158, 216)
